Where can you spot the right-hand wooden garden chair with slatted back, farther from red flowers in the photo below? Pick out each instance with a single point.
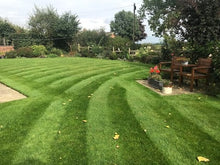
(201, 71)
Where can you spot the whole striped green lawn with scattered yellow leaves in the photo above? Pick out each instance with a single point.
(48, 127)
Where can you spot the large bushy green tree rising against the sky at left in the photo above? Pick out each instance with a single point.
(52, 28)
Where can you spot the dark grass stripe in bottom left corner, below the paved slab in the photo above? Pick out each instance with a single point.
(16, 125)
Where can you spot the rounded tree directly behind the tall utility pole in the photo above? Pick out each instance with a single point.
(123, 25)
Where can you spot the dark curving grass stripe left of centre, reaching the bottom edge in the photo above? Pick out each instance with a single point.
(73, 144)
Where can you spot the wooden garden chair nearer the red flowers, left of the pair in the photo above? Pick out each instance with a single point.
(174, 67)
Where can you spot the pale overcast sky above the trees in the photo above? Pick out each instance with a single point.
(93, 14)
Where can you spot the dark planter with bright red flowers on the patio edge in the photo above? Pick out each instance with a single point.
(155, 79)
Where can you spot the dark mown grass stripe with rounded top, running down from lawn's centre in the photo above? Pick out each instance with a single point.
(133, 141)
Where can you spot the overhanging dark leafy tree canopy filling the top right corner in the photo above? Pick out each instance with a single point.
(196, 21)
